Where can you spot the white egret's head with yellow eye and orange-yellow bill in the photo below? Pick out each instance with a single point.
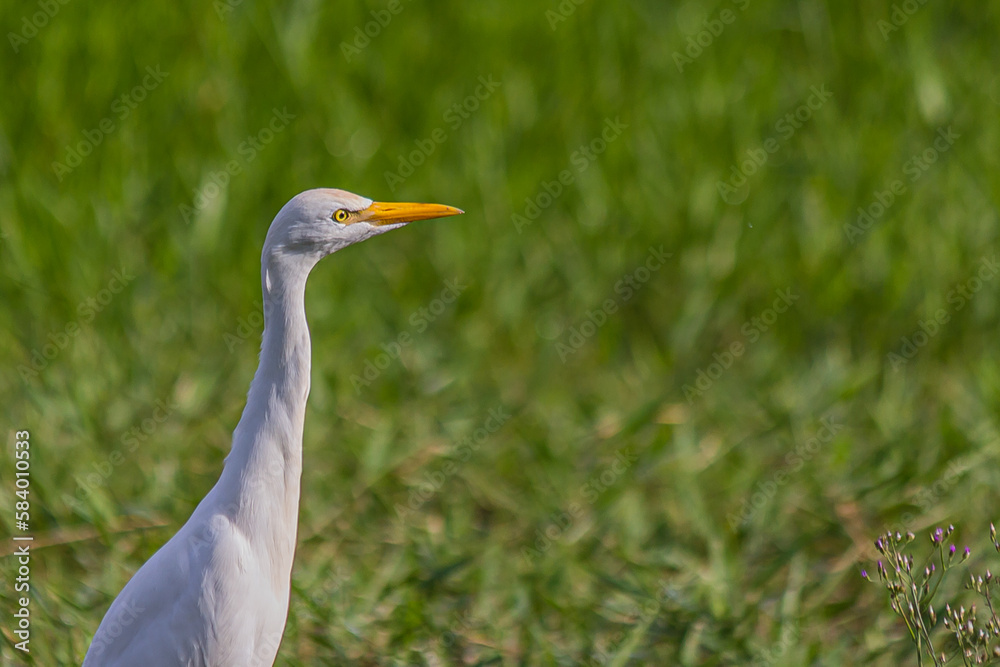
(318, 222)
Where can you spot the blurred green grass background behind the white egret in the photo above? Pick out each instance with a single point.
(523, 555)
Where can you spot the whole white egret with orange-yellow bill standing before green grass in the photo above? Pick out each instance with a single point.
(216, 594)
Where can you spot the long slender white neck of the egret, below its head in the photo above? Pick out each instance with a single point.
(261, 481)
